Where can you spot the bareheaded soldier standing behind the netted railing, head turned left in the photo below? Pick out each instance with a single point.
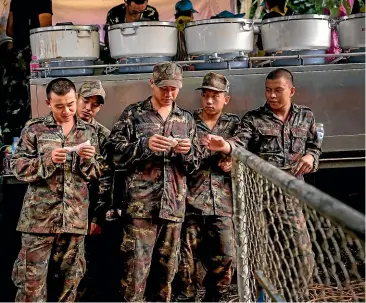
(285, 135)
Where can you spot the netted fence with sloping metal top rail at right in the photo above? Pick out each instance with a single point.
(293, 240)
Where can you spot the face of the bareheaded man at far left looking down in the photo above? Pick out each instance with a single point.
(63, 107)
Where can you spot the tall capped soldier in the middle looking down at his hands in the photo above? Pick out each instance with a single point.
(155, 140)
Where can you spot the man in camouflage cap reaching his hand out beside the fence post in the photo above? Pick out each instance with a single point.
(208, 232)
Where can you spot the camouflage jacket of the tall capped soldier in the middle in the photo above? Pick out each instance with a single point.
(156, 182)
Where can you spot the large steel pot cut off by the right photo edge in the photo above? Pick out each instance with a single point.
(351, 31)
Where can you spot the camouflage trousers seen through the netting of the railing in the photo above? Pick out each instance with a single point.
(288, 237)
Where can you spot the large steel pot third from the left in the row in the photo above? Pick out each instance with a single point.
(229, 35)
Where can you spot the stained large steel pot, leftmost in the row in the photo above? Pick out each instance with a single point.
(80, 42)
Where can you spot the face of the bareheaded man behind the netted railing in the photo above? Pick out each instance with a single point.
(279, 92)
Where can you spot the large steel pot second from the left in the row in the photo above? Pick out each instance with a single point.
(143, 39)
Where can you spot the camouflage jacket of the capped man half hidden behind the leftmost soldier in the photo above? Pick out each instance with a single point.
(100, 190)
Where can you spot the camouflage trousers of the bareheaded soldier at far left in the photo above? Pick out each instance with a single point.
(58, 259)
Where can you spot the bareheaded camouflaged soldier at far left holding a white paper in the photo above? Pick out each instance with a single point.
(54, 216)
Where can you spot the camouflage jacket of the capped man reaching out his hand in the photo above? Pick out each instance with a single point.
(209, 188)
